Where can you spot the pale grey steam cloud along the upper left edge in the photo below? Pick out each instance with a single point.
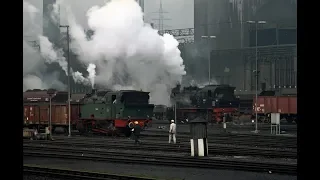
(34, 67)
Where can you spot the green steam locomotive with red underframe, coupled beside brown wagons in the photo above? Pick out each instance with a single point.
(103, 111)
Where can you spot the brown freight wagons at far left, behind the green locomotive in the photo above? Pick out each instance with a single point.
(37, 109)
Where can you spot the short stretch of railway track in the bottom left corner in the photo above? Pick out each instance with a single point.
(73, 174)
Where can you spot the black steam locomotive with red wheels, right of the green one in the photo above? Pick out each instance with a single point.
(211, 102)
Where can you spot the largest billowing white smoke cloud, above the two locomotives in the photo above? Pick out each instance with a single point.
(128, 52)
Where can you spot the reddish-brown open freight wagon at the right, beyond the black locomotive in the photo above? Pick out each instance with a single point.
(285, 105)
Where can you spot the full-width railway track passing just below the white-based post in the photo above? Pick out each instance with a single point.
(121, 157)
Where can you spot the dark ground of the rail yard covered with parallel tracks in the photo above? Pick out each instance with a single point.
(237, 153)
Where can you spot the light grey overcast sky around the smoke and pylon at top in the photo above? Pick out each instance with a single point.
(179, 11)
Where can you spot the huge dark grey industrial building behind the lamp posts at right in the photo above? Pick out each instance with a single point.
(233, 50)
